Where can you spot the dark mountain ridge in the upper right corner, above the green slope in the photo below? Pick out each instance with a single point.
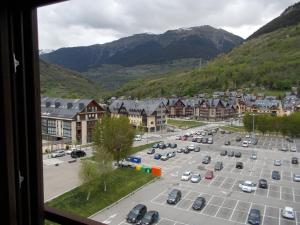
(289, 17)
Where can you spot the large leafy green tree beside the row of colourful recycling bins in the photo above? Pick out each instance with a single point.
(115, 136)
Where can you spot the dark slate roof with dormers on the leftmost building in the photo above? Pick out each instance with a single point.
(62, 108)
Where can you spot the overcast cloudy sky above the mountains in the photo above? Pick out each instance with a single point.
(87, 22)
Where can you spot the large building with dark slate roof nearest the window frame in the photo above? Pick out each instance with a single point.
(69, 119)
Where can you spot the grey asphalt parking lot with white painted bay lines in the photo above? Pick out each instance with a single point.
(225, 202)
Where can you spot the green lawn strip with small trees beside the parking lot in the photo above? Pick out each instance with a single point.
(121, 183)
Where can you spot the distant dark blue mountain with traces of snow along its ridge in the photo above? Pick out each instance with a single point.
(203, 42)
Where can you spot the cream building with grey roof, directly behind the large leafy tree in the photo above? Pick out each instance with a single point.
(150, 114)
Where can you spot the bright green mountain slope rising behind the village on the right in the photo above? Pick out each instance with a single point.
(270, 61)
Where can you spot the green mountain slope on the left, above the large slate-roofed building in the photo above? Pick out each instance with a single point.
(59, 82)
